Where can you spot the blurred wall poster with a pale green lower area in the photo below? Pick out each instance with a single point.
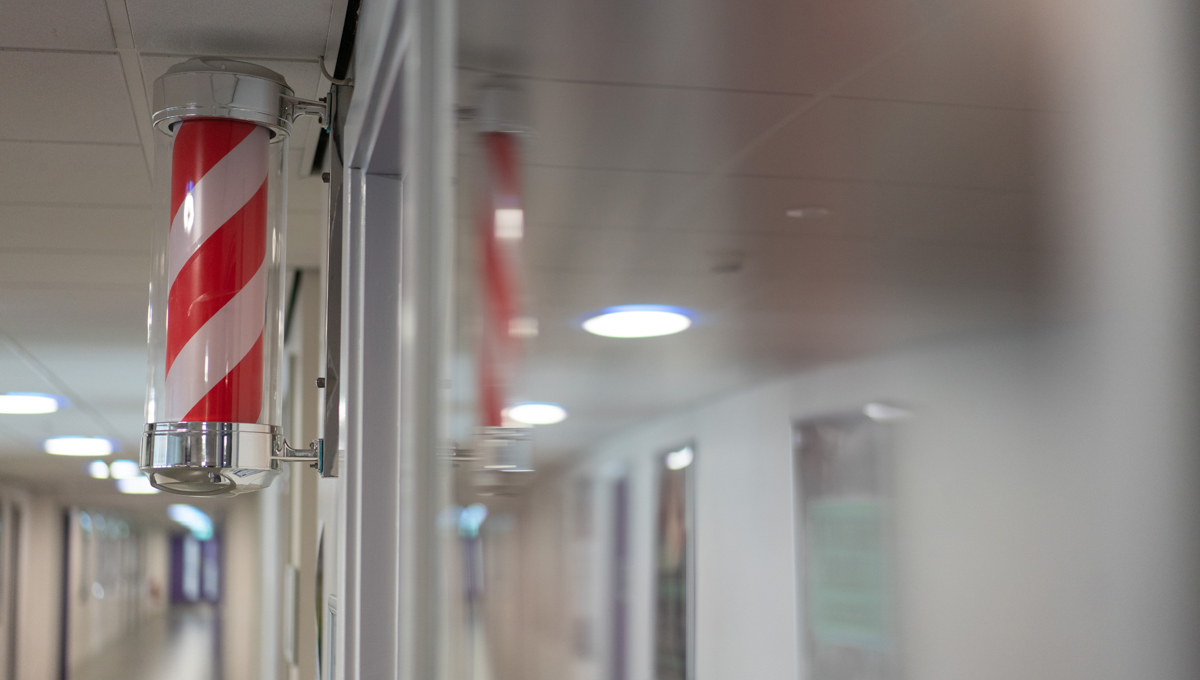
(845, 483)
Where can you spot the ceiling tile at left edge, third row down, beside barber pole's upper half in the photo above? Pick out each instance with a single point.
(74, 174)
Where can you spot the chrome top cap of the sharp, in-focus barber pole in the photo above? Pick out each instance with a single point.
(209, 87)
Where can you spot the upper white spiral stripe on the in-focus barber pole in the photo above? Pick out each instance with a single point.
(218, 197)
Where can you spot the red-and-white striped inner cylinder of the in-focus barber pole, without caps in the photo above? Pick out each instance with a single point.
(217, 273)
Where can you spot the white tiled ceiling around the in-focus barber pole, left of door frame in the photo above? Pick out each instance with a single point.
(76, 198)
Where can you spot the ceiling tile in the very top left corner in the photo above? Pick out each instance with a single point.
(63, 25)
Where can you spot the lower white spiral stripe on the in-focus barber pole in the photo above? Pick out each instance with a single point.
(221, 344)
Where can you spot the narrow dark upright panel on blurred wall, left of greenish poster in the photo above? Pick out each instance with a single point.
(674, 617)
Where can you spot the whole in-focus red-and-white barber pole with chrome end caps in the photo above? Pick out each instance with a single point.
(214, 411)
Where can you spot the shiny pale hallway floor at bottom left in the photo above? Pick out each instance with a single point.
(184, 649)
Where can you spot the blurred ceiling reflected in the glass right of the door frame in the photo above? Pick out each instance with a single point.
(669, 140)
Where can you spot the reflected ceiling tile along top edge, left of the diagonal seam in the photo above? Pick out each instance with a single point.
(751, 45)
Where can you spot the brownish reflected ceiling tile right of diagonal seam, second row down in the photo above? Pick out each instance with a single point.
(910, 143)
